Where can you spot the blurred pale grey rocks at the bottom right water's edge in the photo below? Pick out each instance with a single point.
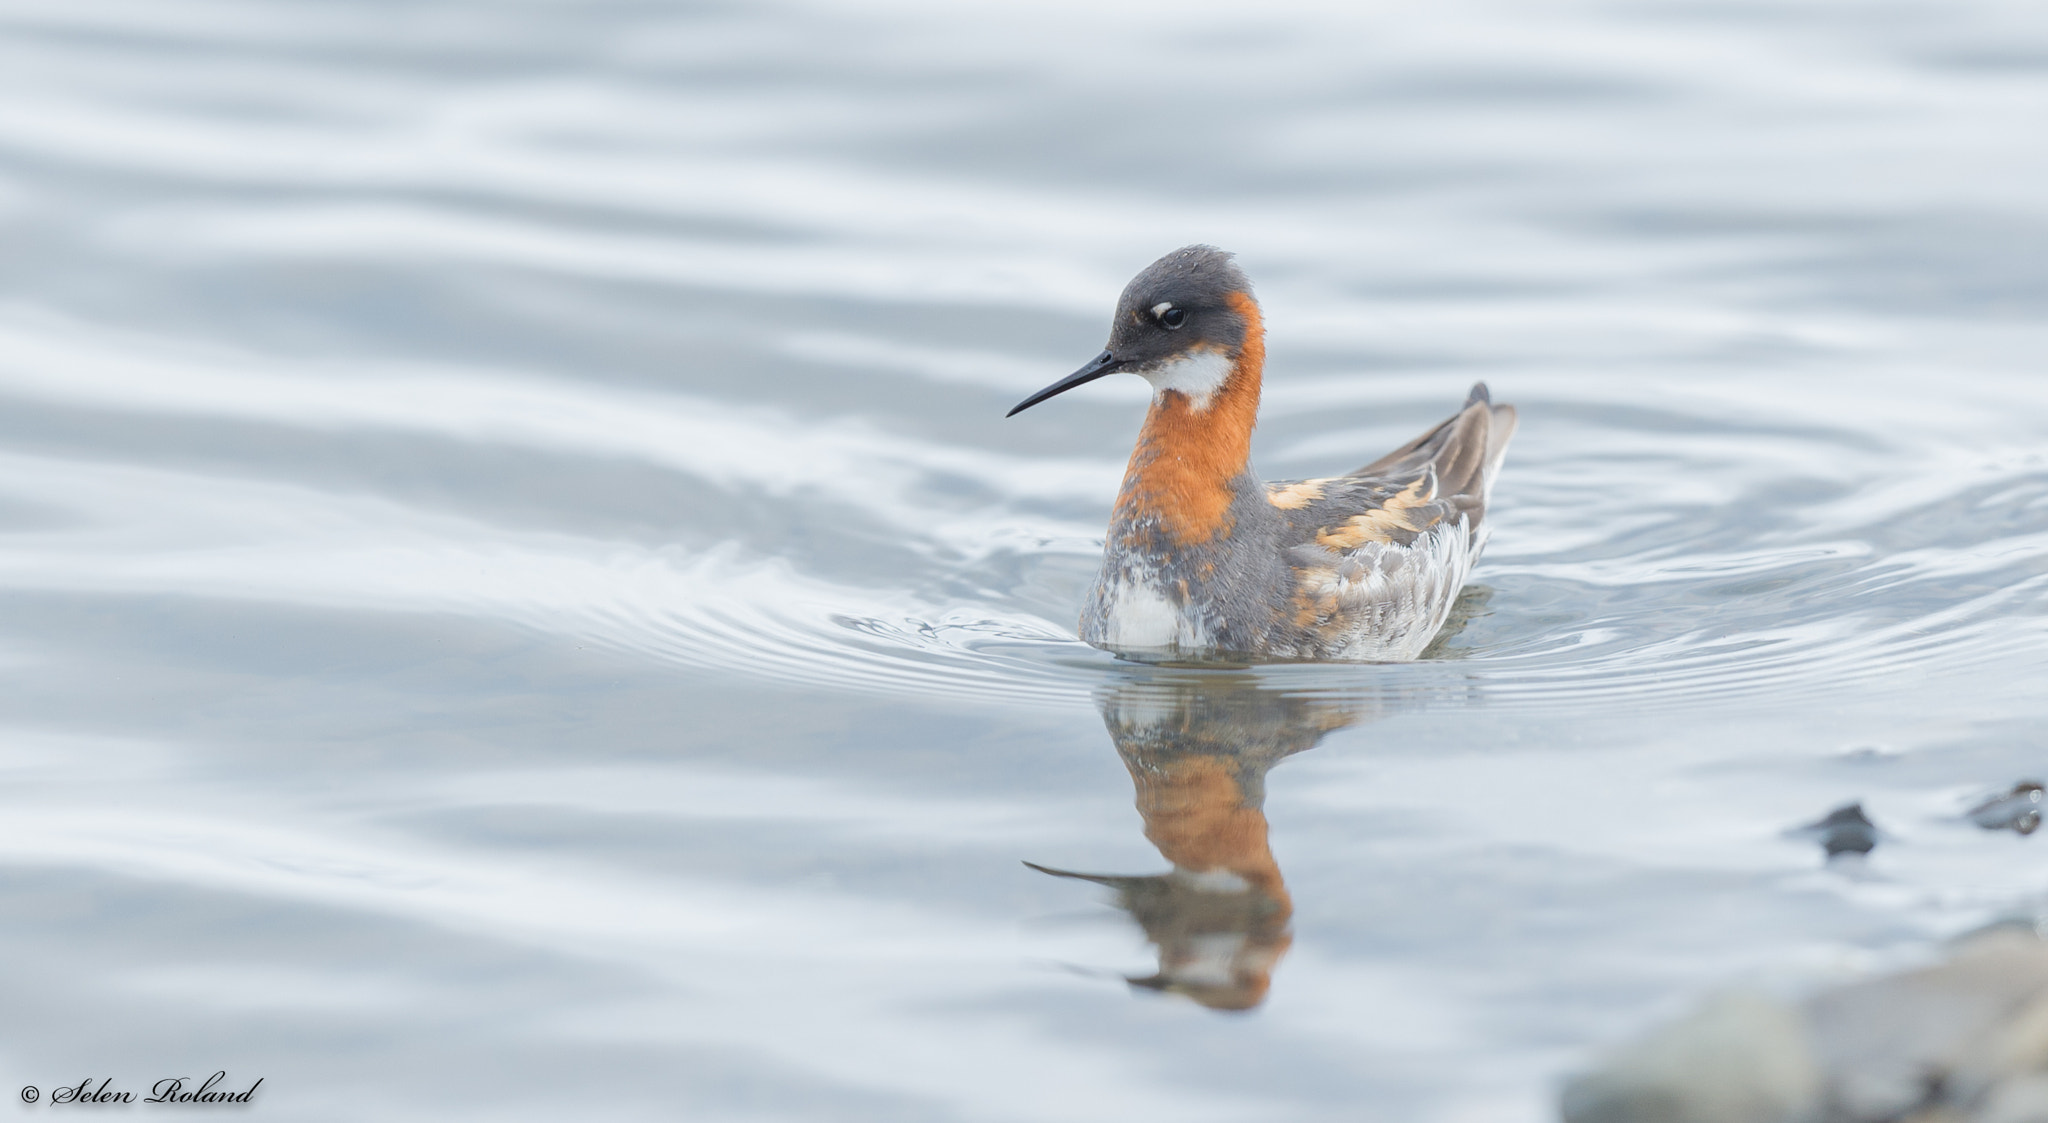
(1963, 1042)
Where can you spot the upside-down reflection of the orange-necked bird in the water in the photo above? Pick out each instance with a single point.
(1199, 751)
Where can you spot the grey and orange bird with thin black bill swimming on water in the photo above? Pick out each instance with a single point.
(1203, 558)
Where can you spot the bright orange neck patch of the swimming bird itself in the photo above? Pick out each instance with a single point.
(1187, 458)
